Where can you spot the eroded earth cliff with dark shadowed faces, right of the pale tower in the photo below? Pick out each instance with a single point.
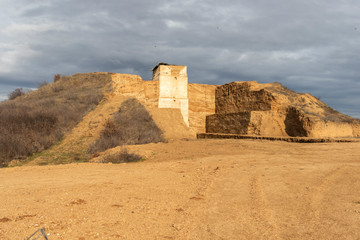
(273, 110)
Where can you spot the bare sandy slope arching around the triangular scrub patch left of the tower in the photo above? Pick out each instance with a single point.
(120, 87)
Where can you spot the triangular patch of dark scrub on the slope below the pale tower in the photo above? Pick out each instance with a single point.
(131, 124)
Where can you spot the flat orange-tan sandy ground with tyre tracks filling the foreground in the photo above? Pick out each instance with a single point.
(198, 189)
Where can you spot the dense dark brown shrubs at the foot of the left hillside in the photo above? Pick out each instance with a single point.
(25, 129)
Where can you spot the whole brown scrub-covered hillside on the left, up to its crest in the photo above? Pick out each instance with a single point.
(40, 118)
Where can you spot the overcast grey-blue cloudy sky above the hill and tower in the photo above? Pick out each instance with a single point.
(308, 45)
